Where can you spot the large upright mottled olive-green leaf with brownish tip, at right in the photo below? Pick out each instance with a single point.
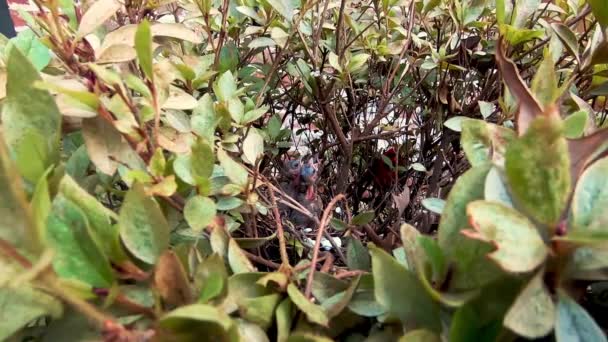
(538, 170)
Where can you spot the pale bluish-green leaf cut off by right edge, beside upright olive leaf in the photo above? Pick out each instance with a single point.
(590, 198)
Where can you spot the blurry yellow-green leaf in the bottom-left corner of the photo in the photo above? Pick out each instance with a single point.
(21, 305)
